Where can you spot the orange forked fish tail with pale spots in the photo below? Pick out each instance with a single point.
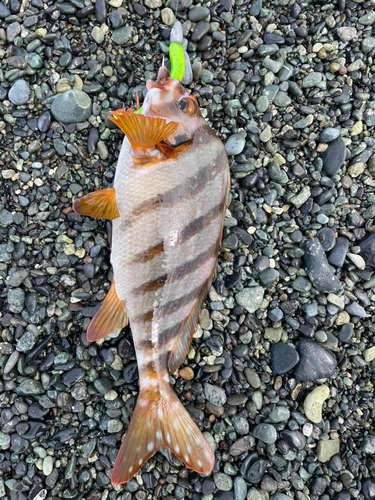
(160, 420)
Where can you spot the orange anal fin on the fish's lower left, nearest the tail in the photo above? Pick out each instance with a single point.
(110, 316)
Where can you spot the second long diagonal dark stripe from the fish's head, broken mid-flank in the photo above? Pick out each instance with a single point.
(191, 230)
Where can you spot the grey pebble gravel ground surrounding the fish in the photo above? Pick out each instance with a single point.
(280, 374)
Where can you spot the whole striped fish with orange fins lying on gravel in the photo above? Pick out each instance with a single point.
(167, 206)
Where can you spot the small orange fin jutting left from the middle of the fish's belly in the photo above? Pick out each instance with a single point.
(99, 204)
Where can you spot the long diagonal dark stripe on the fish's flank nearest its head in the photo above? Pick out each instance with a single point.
(192, 186)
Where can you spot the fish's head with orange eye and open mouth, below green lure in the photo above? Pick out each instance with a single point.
(167, 98)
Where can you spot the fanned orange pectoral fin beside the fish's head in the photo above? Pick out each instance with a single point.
(142, 131)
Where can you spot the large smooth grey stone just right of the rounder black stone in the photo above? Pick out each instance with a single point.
(315, 361)
